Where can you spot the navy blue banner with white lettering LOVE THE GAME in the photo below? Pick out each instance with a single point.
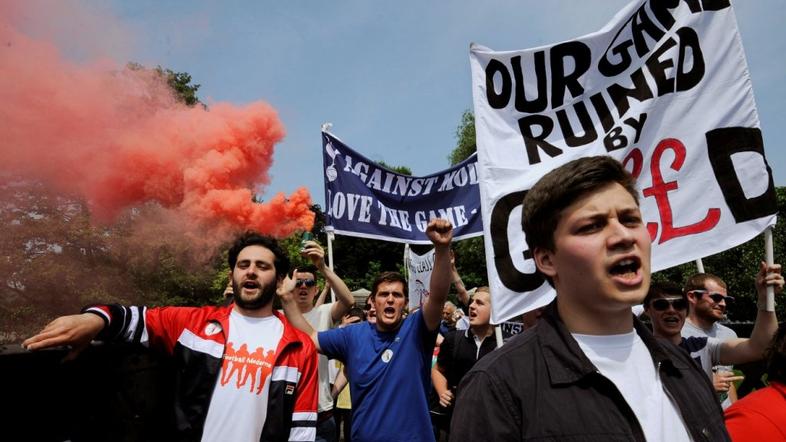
(367, 200)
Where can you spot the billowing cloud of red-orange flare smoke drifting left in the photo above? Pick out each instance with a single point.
(118, 138)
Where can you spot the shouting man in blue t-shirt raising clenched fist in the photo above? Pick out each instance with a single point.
(388, 363)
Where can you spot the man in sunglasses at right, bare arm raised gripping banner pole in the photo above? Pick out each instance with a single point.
(666, 305)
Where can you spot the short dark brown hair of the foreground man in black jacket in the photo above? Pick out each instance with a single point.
(561, 187)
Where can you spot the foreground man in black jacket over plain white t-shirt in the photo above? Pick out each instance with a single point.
(589, 370)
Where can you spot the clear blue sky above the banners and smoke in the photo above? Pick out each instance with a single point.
(392, 77)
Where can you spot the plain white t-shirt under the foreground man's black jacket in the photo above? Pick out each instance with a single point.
(625, 361)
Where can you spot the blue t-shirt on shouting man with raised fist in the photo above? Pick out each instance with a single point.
(389, 375)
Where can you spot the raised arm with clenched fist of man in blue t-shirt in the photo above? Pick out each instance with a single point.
(440, 232)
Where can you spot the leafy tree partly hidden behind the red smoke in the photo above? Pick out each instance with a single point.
(55, 259)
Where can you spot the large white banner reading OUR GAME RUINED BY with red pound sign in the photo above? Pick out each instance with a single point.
(664, 90)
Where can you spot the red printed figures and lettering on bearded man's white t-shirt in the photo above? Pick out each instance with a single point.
(246, 368)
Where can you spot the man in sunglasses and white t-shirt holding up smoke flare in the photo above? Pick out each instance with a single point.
(321, 318)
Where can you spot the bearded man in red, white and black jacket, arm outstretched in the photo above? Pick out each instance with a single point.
(273, 396)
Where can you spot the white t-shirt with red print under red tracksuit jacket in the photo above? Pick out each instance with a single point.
(238, 407)
